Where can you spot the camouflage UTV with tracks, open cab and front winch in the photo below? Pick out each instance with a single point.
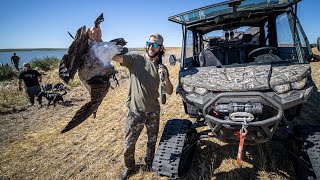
(244, 69)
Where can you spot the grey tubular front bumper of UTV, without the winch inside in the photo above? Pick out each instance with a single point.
(259, 130)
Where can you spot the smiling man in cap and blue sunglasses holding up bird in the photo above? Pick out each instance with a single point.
(142, 100)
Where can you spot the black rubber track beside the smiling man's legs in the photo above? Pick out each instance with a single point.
(167, 158)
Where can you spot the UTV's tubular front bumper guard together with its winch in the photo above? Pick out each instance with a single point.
(227, 113)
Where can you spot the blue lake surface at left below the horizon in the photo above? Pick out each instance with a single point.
(27, 56)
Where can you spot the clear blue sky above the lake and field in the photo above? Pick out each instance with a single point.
(44, 23)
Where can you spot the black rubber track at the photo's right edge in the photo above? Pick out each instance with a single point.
(311, 137)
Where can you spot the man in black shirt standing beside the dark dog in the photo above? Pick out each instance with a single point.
(31, 79)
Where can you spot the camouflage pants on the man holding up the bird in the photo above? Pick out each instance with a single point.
(134, 125)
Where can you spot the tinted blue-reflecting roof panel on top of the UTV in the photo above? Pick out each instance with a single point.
(230, 9)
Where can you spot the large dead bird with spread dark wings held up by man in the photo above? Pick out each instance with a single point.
(92, 61)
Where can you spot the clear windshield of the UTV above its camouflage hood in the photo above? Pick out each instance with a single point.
(269, 38)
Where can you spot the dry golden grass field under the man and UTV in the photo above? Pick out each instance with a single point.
(31, 146)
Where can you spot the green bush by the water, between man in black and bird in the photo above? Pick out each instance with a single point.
(45, 63)
